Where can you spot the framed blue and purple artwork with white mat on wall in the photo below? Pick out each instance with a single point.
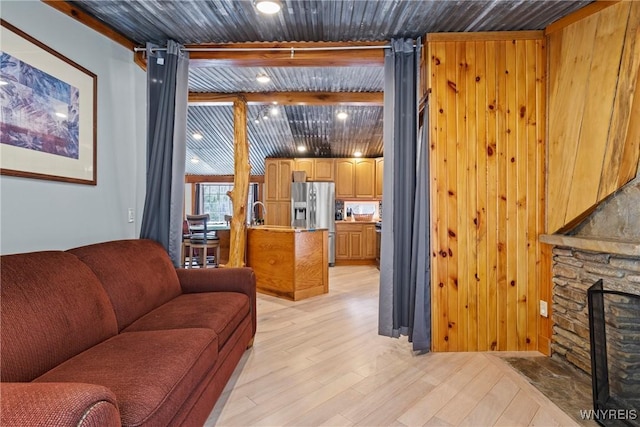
(48, 112)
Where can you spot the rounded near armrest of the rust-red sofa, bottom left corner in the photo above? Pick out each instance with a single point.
(59, 404)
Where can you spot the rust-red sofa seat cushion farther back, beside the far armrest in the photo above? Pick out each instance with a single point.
(219, 311)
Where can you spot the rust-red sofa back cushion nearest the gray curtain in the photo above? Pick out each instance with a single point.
(137, 274)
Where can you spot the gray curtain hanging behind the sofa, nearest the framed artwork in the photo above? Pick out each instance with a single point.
(167, 91)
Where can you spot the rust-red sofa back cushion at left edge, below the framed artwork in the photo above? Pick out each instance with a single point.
(52, 308)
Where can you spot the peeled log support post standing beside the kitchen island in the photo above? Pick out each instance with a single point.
(240, 192)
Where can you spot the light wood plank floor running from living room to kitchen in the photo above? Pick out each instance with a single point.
(320, 361)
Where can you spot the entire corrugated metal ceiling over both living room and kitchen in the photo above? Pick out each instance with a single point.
(316, 127)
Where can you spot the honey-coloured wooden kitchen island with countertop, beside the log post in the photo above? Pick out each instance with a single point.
(289, 262)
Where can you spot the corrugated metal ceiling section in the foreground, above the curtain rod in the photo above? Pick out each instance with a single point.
(224, 21)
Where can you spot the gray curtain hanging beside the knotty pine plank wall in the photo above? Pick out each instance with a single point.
(404, 267)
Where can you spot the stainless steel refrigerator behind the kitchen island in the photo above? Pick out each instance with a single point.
(313, 206)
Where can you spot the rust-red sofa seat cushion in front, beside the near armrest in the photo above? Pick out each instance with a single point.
(151, 373)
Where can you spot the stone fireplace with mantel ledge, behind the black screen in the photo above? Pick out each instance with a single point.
(606, 246)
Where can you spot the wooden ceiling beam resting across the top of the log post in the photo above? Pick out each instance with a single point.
(290, 98)
